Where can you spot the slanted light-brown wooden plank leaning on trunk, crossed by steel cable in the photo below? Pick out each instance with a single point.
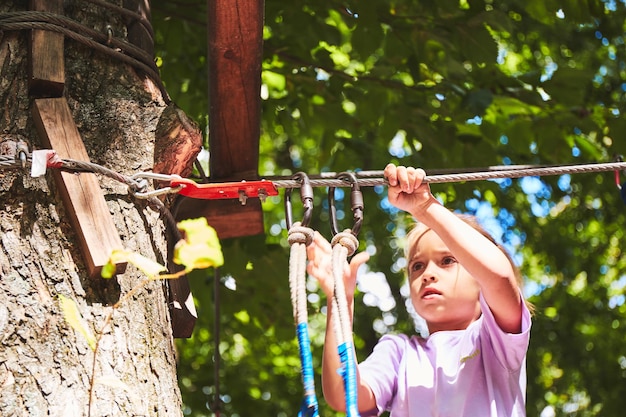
(83, 199)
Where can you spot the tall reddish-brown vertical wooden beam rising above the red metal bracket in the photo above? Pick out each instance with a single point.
(235, 42)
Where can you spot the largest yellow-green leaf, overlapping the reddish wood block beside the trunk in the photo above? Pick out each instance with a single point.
(200, 248)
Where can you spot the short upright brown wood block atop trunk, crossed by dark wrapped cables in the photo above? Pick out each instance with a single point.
(46, 67)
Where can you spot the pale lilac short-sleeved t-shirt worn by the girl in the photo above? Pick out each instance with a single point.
(479, 371)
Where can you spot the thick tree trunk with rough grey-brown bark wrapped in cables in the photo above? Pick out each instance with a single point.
(45, 365)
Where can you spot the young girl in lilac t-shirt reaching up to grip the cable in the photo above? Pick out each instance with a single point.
(467, 290)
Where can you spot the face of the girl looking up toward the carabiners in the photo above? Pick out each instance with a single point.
(442, 291)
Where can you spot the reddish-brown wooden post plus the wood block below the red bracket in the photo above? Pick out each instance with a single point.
(235, 41)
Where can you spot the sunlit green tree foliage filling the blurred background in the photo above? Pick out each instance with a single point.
(437, 84)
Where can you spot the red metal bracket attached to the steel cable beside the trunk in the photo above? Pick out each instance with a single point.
(224, 190)
